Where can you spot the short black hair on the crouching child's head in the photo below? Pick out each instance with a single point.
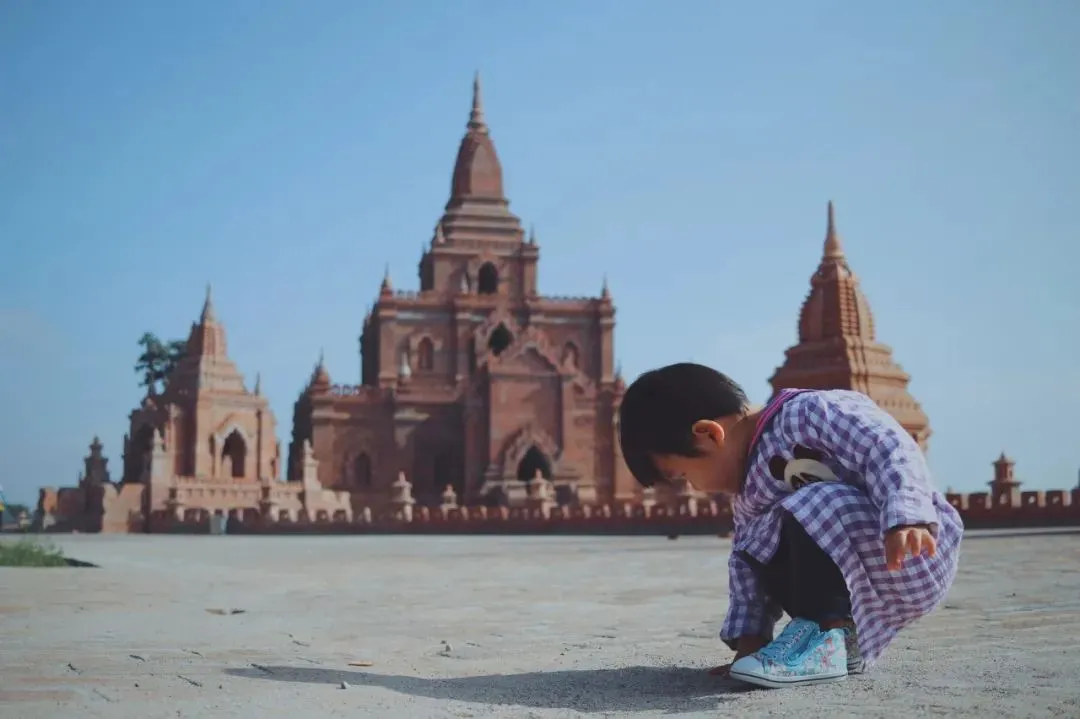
(660, 409)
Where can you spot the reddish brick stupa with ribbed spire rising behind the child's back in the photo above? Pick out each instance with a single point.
(839, 347)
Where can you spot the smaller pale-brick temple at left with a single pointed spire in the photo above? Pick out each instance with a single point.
(205, 445)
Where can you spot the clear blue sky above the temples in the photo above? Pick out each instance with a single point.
(288, 151)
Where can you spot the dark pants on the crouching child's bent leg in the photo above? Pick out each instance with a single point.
(802, 579)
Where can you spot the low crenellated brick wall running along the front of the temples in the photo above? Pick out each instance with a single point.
(295, 509)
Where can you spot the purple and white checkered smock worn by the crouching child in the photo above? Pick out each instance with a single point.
(884, 483)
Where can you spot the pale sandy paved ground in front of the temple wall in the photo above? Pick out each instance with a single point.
(536, 628)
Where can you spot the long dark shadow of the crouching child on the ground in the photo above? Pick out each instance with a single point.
(631, 689)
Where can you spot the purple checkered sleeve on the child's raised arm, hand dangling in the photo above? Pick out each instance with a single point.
(868, 441)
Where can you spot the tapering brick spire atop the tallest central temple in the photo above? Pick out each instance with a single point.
(478, 209)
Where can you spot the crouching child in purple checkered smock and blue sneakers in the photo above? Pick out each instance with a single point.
(836, 521)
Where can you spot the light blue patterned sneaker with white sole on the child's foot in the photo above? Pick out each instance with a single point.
(802, 655)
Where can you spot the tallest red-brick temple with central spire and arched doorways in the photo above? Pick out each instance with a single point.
(478, 382)
